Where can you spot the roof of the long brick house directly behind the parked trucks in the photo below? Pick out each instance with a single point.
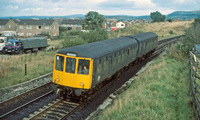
(35, 22)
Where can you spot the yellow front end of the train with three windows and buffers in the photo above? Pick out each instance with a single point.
(72, 75)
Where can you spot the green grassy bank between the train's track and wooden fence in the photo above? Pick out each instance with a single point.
(161, 92)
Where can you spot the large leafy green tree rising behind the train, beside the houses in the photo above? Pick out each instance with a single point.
(93, 21)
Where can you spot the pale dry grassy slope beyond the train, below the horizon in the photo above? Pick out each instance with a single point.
(162, 29)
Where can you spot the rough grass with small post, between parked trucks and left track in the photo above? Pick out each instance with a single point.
(13, 68)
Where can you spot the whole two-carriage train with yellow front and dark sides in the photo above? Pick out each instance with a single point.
(80, 68)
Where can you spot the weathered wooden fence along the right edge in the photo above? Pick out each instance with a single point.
(195, 83)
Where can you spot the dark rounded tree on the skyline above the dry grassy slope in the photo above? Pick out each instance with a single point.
(157, 17)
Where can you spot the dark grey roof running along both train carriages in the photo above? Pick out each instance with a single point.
(102, 48)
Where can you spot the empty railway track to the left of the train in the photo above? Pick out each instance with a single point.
(25, 101)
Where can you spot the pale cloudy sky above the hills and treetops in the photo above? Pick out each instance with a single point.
(105, 7)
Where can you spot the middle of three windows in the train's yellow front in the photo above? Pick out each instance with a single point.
(70, 65)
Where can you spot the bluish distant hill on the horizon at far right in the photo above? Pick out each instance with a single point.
(184, 15)
